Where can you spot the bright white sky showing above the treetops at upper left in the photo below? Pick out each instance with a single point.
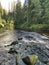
(5, 3)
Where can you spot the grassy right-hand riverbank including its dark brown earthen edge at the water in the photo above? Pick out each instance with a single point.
(39, 28)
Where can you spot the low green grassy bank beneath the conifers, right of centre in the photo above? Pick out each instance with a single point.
(34, 27)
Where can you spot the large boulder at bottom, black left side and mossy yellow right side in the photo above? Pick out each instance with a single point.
(30, 60)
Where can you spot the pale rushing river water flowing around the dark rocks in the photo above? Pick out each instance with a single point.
(32, 38)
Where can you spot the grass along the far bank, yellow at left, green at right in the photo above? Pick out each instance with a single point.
(27, 26)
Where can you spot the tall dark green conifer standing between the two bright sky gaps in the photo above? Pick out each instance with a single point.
(18, 14)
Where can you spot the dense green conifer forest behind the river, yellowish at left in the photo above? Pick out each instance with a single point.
(32, 16)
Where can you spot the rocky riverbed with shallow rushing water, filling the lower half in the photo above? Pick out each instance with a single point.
(24, 45)
